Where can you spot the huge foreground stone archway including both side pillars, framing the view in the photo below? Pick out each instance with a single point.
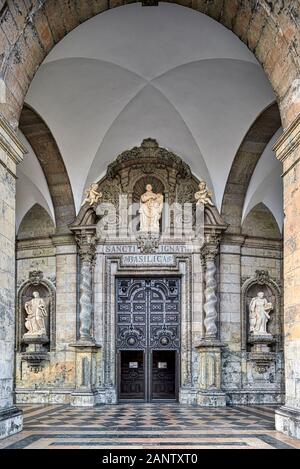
(269, 32)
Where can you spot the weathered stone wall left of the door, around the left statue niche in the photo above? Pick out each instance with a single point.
(56, 257)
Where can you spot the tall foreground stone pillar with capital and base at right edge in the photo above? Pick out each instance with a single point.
(288, 152)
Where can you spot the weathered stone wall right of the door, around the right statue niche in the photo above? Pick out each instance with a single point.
(240, 259)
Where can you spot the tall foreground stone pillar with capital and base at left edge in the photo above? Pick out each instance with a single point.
(11, 153)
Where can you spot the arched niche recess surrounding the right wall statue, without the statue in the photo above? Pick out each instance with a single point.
(262, 282)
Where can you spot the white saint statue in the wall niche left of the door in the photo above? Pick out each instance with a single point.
(36, 313)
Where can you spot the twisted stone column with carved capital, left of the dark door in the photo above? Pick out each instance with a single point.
(87, 246)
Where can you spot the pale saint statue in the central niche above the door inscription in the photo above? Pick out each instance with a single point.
(150, 210)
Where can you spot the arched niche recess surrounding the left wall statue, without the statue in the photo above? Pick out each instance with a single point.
(47, 291)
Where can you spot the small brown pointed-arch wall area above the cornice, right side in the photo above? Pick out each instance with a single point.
(261, 223)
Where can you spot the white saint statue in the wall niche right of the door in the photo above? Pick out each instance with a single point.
(259, 314)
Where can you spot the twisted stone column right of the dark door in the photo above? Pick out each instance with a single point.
(209, 254)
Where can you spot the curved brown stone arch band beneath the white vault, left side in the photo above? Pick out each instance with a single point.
(45, 147)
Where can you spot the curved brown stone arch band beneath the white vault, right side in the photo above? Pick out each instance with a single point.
(246, 158)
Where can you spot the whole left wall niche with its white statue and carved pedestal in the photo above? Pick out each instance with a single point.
(36, 319)
